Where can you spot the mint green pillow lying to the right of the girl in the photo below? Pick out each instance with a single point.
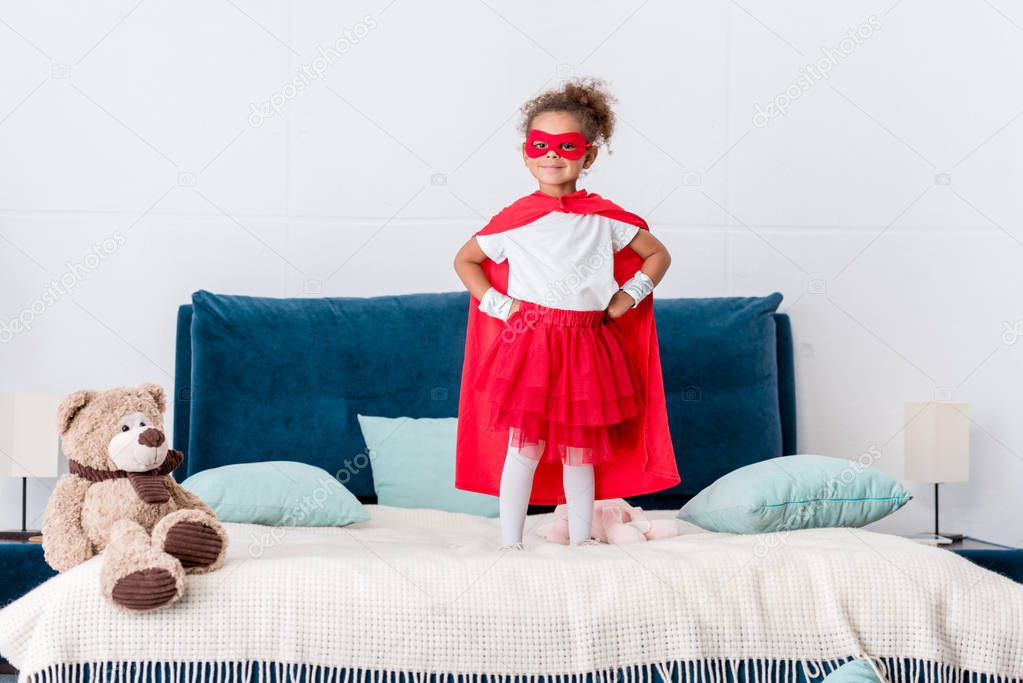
(795, 492)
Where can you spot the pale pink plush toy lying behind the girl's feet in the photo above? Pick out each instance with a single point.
(614, 522)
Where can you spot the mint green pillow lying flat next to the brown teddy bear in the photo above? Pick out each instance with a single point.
(278, 493)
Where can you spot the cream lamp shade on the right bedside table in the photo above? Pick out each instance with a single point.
(938, 442)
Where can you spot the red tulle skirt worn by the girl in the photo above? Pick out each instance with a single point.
(559, 381)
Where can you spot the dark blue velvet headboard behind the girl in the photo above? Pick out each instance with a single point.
(284, 379)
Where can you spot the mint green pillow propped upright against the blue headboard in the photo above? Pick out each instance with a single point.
(413, 461)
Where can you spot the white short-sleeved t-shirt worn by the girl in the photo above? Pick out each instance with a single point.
(562, 260)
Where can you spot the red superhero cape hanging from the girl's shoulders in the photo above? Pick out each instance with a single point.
(645, 462)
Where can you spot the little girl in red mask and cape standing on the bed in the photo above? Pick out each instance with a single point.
(562, 398)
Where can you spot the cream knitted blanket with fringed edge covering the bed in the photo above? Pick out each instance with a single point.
(421, 591)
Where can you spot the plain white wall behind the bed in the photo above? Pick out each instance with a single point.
(132, 122)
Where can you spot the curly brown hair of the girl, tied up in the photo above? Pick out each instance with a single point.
(587, 99)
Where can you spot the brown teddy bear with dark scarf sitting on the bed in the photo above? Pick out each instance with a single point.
(119, 500)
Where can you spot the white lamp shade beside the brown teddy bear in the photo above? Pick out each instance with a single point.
(29, 442)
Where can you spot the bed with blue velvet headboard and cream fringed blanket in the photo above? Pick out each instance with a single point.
(424, 596)
